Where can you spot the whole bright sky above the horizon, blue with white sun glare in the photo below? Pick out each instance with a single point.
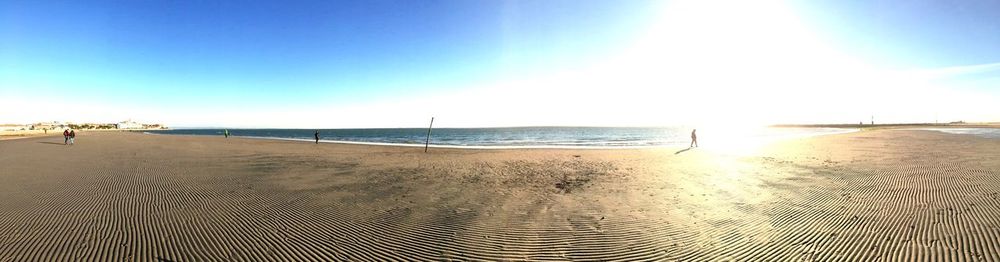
(498, 63)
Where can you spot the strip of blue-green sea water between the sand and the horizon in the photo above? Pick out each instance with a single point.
(525, 137)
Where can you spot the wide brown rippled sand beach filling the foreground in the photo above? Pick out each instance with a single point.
(882, 194)
